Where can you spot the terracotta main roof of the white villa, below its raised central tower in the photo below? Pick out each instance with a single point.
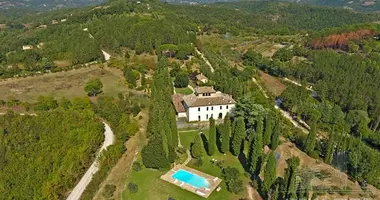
(219, 99)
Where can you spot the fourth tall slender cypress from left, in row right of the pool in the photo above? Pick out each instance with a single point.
(255, 153)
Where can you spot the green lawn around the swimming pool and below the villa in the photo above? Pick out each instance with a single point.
(153, 188)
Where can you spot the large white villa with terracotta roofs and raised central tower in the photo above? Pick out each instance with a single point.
(203, 104)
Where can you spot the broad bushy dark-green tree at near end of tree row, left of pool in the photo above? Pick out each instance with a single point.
(153, 154)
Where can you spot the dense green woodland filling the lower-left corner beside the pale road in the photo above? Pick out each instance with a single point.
(41, 157)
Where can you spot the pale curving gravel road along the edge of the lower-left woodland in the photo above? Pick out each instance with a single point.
(86, 179)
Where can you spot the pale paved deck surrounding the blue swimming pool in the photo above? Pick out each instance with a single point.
(203, 192)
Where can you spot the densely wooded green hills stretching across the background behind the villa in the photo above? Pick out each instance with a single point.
(146, 27)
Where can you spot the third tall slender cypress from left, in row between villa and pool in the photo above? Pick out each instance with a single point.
(238, 135)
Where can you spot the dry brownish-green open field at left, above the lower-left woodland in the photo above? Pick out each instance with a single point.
(68, 84)
